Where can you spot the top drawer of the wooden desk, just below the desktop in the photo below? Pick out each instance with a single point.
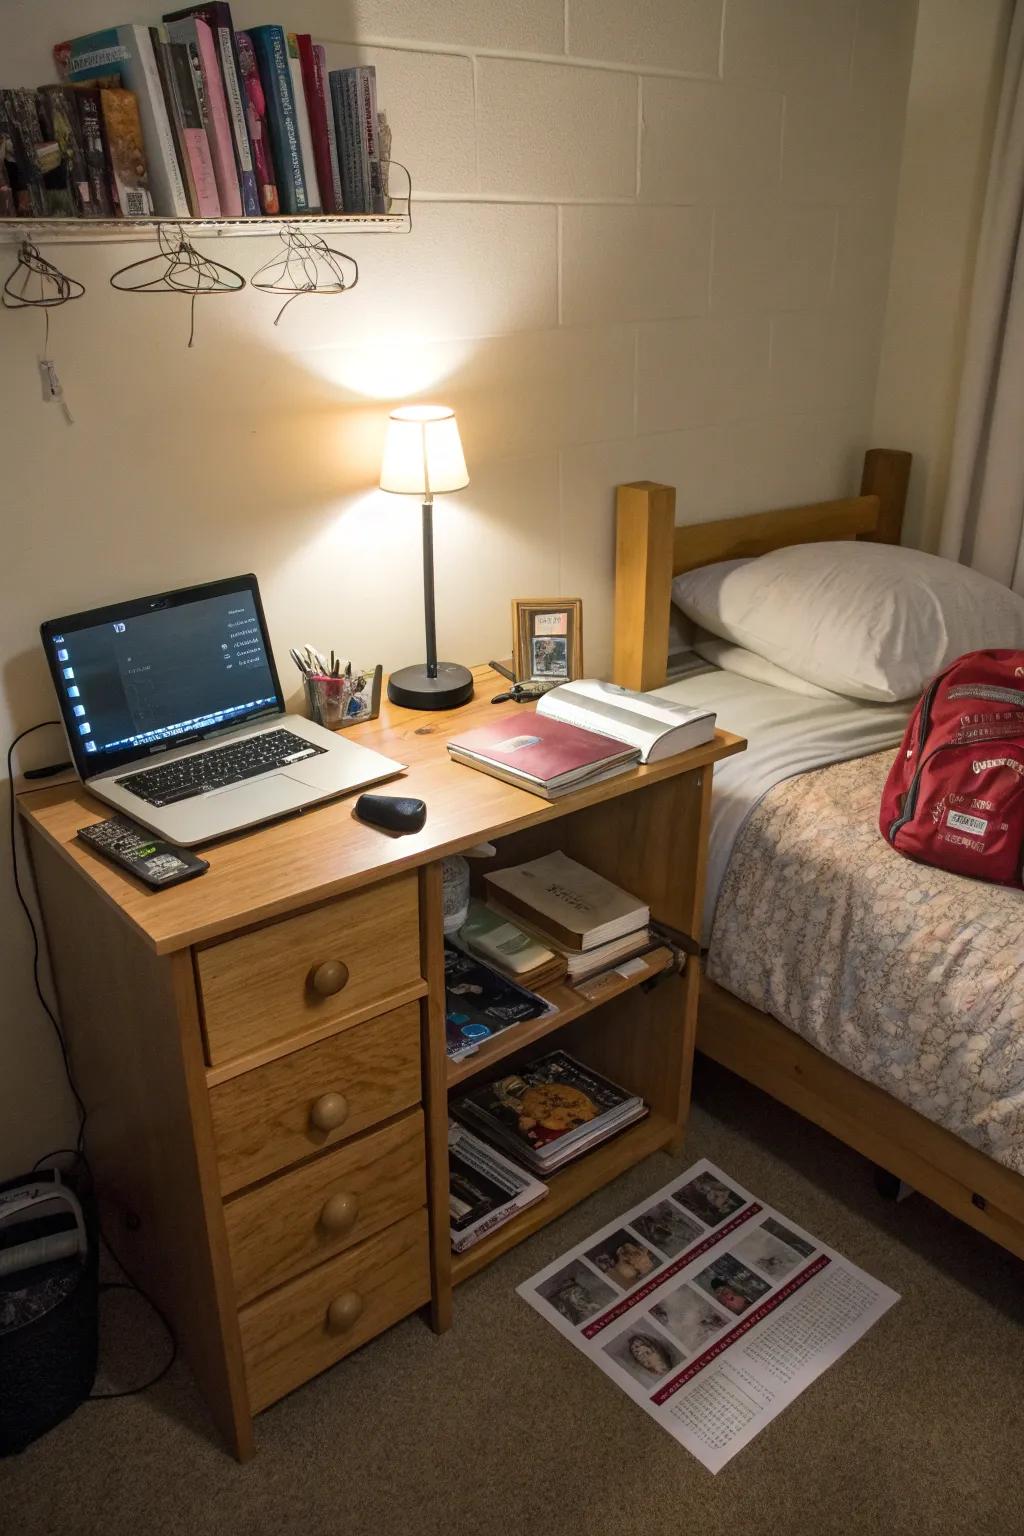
(309, 970)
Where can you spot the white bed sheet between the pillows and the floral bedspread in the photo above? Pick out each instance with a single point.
(787, 735)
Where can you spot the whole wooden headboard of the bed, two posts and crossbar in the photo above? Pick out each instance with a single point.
(650, 551)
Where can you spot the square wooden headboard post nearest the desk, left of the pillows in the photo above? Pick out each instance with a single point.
(646, 523)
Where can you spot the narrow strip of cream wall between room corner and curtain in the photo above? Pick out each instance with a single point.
(951, 118)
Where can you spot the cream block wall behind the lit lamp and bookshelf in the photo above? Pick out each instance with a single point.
(650, 240)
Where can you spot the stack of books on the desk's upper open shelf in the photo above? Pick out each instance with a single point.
(592, 922)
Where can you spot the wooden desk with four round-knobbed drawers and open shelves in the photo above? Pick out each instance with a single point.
(273, 1159)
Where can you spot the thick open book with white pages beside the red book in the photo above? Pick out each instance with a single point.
(656, 727)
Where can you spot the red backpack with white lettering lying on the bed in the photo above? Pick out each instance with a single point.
(956, 793)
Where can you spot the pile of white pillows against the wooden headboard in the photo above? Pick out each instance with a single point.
(870, 621)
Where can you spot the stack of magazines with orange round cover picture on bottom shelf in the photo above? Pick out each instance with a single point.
(549, 1113)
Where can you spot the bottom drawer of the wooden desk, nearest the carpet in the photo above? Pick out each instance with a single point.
(311, 1323)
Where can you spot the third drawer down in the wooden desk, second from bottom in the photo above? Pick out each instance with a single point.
(323, 1208)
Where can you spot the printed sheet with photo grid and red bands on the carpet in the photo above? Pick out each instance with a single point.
(709, 1309)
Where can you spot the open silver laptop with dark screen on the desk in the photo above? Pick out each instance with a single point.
(176, 717)
